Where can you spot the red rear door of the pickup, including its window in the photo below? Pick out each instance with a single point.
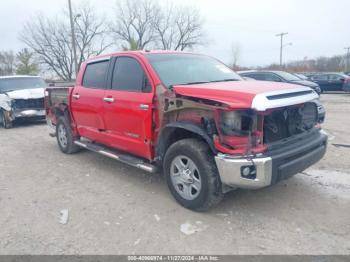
(87, 100)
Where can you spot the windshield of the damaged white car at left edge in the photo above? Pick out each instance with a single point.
(12, 84)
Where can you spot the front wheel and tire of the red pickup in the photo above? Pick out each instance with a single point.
(197, 186)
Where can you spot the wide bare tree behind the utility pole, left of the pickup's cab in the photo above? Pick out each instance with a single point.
(50, 39)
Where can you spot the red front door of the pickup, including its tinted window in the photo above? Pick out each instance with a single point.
(128, 107)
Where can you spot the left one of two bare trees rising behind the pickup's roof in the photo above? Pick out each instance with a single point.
(134, 21)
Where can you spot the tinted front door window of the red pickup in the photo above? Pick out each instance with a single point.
(128, 75)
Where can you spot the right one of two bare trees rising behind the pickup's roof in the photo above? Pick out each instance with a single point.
(179, 27)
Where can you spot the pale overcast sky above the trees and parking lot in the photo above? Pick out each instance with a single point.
(316, 27)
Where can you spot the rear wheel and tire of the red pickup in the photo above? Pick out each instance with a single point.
(65, 137)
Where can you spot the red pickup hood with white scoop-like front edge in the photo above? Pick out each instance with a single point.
(258, 95)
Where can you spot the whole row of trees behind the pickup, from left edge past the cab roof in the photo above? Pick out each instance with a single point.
(136, 25)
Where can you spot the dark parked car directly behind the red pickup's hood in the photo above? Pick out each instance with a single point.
(279, 76)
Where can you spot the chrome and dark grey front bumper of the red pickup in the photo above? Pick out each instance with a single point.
(282, 161)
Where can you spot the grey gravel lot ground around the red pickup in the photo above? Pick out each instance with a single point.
(115, 209)
